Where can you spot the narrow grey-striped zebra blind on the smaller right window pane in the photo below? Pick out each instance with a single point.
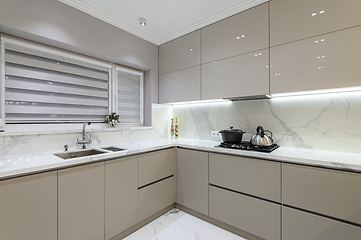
(130, 96)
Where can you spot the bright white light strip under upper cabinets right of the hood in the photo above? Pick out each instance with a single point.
(323, 92)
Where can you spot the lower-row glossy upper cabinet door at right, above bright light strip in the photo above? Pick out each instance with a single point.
(322, 62)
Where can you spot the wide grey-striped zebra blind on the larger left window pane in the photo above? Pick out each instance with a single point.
(44, 87)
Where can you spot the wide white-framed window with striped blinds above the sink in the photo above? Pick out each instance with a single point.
(40, 84)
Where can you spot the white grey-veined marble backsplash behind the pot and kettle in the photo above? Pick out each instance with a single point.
(330, 122)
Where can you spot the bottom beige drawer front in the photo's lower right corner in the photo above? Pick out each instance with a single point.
(298, 225)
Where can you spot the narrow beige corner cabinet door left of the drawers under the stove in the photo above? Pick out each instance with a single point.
(192, 179)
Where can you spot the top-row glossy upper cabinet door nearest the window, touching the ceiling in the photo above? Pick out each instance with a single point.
(183, 52)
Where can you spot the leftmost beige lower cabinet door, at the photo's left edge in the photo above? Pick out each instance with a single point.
(28, 207)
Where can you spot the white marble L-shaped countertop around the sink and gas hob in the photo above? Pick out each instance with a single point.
(26, 164)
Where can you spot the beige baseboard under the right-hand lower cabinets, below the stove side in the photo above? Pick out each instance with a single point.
(218, 223)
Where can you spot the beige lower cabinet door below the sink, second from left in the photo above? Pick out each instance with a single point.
(81, 202)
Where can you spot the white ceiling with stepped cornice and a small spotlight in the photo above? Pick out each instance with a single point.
(166, 19)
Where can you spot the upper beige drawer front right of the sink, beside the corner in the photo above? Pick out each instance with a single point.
(155, 166)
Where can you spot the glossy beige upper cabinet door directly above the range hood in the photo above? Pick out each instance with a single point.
(244, 75)
